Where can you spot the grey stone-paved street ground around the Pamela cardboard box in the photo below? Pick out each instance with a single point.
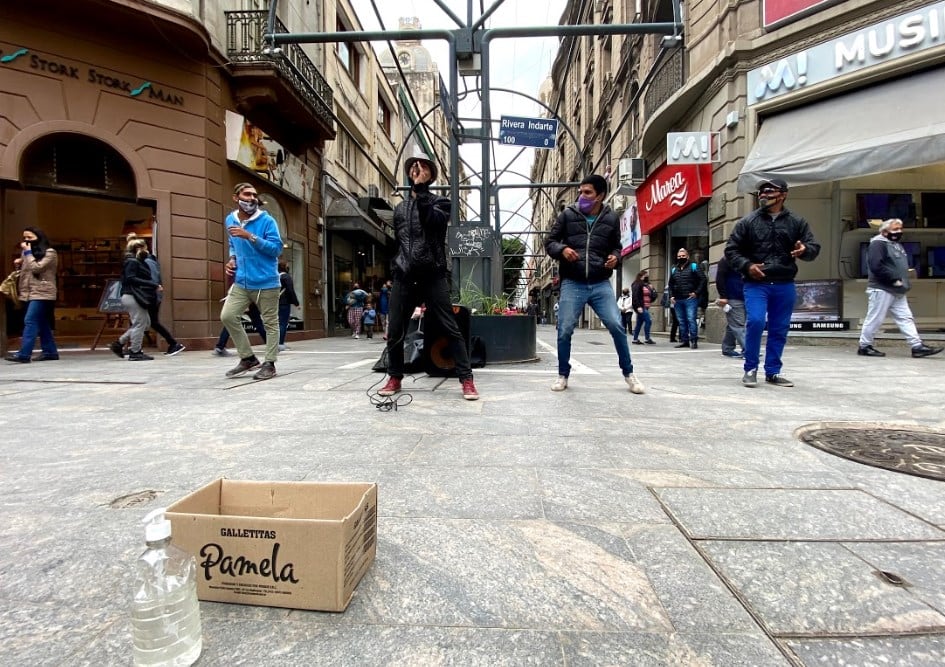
(686, 526)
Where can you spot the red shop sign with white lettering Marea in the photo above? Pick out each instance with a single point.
(671, 191)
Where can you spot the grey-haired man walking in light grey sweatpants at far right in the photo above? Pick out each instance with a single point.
(886, 291)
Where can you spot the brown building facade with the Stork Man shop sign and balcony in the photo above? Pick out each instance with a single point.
(143, 117)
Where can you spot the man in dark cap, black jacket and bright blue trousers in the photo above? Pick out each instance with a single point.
(764, 247)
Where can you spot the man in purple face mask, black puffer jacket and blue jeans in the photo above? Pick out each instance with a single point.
(585, 239)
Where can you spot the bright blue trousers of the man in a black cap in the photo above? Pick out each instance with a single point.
(776, 301)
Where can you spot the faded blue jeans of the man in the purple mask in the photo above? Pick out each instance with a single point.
(600, 297)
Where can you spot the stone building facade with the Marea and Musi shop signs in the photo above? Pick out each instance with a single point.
(836, 98)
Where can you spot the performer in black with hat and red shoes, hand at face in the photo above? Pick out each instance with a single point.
(419, 269)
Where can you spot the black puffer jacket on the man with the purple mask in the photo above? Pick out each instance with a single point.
(593, 243)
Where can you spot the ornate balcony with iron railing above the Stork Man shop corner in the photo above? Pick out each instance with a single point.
(277, 90)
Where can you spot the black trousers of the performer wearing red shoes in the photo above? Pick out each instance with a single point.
(433, 293)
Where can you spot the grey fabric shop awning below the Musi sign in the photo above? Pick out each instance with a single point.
(881, 128)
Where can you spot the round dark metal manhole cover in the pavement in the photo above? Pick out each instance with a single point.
(915, 452)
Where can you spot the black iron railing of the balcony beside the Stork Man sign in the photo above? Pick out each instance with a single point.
(244, 44)
